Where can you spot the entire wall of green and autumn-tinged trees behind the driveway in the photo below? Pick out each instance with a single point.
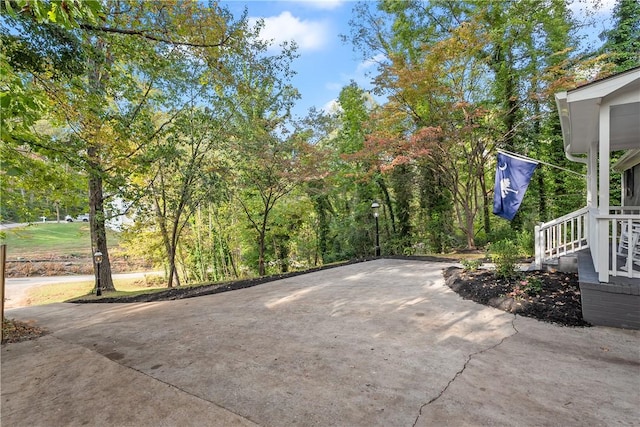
(177, 115)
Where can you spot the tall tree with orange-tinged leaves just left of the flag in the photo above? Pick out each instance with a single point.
(480, 72)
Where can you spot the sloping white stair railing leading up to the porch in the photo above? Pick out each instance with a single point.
(562, 236)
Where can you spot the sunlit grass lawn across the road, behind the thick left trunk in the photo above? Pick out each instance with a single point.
(49, 239)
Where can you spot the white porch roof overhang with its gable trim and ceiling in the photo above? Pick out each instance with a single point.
(580, 113)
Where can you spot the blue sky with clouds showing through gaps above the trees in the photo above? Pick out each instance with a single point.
(325, 64)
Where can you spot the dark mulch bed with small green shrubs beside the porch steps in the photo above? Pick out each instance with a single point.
(552, 297)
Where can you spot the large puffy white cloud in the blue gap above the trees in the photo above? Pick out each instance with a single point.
(308, 35)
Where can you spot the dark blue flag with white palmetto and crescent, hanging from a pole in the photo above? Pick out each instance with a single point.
(512, 179)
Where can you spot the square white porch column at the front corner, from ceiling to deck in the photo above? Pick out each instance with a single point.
(602, 266)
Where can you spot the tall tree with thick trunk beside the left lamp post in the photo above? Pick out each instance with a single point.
(130, 71)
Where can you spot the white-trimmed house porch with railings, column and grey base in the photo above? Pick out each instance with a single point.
(597, 119)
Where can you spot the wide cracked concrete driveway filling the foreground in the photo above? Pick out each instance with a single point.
(382, 343)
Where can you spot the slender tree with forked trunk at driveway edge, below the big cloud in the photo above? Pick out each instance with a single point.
(268, 160)
